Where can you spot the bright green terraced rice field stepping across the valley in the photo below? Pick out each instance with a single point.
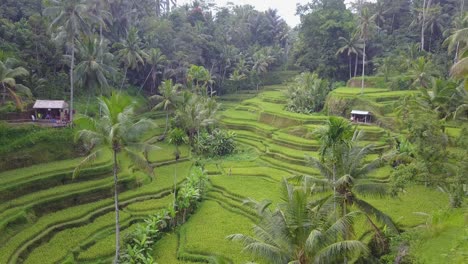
(47, 217)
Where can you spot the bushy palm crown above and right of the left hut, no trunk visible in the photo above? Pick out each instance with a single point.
(94, 68)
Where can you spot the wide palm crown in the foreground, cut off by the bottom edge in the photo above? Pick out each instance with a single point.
(298, 233)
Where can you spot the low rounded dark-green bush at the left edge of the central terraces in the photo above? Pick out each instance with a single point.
(217, 143)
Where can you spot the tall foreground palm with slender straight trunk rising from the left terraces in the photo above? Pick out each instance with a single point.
(119, 131)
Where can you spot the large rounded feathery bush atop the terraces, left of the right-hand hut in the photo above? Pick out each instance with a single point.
(307, 93)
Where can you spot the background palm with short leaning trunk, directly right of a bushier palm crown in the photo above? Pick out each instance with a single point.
(130, 52)
